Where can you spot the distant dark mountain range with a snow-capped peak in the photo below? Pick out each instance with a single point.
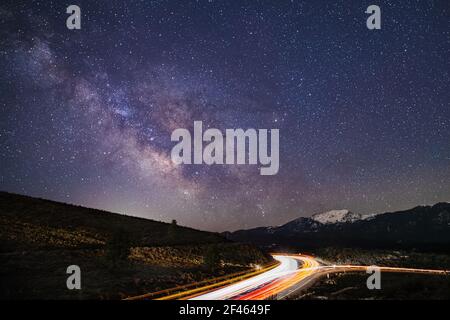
(422, 227)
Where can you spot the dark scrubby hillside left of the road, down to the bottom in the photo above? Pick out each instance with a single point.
(118, 255)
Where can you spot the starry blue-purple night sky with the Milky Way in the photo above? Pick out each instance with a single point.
(364, 116)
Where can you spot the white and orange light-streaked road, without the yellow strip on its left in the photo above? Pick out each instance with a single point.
(295, 272)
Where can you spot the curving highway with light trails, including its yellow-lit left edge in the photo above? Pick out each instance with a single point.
(294, 272)
